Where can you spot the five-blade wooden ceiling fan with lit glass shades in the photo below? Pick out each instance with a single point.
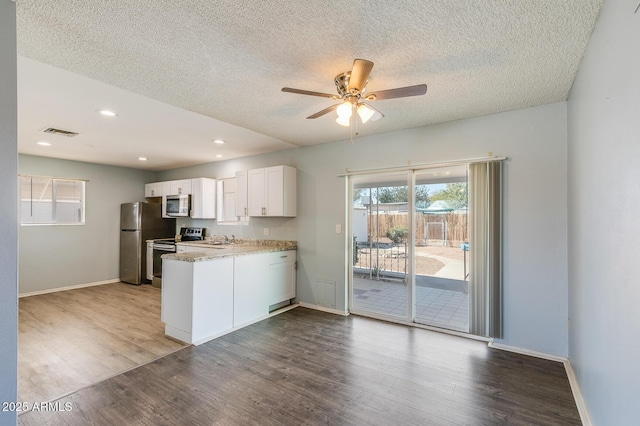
(351, 87)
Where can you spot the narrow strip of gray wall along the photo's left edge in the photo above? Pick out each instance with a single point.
(8, 211)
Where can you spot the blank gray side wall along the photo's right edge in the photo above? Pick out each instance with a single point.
(604, 230)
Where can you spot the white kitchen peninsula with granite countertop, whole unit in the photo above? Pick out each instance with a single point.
(211, 289)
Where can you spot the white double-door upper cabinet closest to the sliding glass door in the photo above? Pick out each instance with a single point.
(272, 191)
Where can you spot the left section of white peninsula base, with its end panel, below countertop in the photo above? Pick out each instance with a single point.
(197, 299)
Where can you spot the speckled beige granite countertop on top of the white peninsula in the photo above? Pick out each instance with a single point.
(239, 248)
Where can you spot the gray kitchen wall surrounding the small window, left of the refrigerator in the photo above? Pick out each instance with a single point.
(59, 256)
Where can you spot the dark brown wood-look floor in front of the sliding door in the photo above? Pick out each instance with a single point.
(309, 367)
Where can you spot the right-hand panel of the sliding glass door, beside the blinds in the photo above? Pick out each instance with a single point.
(441, 243)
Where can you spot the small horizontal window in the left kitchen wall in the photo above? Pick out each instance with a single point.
(49, 201)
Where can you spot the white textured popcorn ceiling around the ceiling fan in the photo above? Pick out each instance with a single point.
(229, 59)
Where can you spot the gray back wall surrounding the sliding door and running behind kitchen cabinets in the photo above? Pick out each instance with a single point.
(534, 139)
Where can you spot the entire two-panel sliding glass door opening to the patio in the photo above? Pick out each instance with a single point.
(409, 242)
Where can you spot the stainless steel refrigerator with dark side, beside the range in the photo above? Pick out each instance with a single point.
(140, 222)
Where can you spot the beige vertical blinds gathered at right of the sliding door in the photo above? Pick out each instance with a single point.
(485, 249)
